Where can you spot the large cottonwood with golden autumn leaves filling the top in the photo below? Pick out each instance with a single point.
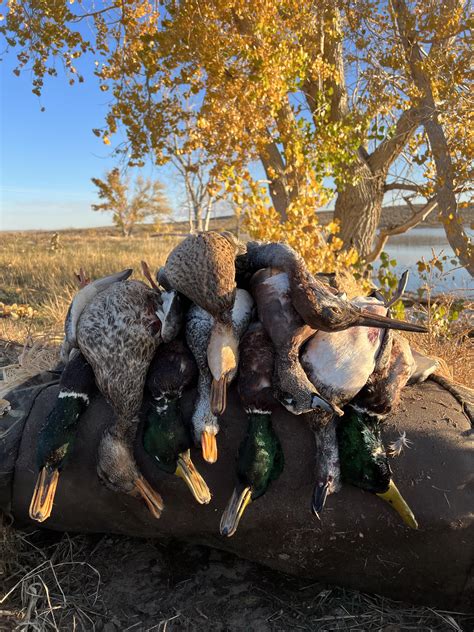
(314, 89)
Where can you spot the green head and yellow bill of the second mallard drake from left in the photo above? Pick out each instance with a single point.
(168, 440)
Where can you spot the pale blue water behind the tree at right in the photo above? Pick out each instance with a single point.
(409, 248)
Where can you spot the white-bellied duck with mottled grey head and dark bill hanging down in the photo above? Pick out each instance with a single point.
(339, 365)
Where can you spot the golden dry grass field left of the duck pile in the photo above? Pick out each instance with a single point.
(33, 274)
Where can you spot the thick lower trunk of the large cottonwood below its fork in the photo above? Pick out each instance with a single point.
(358, 209)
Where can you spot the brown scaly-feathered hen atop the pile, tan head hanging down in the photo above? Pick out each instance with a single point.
(202, 267)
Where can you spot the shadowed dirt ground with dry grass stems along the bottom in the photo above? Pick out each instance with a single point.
(110, 584)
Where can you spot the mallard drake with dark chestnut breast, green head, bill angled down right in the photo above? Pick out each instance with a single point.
(166, 436)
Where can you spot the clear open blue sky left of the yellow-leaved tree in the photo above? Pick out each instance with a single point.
(48, 158)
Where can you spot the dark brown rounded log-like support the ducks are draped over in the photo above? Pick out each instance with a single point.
(360, 543)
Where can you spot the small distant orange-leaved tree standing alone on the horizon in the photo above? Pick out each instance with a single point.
(147, 201)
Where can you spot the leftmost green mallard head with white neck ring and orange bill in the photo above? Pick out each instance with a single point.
(56, 436)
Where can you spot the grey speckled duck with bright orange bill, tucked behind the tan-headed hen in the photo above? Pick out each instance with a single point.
(199, 325)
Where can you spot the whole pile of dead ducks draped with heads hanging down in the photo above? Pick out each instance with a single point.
(220, 311)
